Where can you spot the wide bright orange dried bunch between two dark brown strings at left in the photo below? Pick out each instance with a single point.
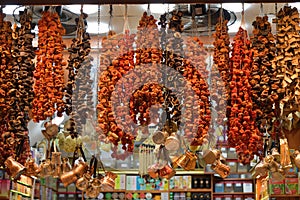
(49, 73)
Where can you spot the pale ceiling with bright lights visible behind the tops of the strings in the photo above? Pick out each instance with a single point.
(103, 18)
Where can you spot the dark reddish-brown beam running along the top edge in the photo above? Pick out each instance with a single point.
(67, 2)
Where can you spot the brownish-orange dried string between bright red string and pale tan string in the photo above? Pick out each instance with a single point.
(263, 75)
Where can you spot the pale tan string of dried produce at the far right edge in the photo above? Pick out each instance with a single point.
(287, 64)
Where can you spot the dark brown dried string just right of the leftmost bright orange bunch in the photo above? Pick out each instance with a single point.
(79, 86)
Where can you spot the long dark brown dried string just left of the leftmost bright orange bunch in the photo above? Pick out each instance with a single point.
(22, 60)
